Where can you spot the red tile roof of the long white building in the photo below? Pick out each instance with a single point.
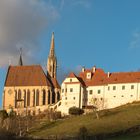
(99, 77)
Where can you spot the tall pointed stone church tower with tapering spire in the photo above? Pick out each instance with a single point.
(52, 60)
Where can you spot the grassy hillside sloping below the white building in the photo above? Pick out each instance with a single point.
(123, 120)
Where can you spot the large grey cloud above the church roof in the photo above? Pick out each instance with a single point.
(21, 22)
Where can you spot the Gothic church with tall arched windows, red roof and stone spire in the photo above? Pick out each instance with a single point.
(28, 89)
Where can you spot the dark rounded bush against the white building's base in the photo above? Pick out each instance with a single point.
(75, 111)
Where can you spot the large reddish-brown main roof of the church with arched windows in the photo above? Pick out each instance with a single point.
(32, 75)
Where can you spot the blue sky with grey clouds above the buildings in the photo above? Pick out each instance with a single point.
(105, 33)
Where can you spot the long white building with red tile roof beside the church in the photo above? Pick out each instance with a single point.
(108, 89)
